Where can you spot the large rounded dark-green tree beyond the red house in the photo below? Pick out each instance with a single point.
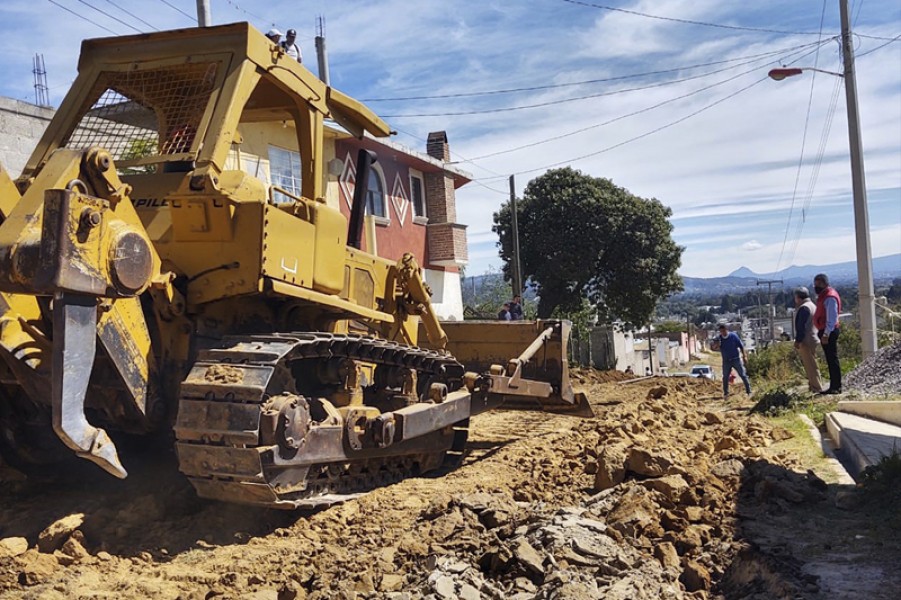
(583, 237)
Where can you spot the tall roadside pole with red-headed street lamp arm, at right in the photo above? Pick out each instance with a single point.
(858, 184)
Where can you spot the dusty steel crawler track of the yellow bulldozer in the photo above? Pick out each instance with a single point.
(233, 389)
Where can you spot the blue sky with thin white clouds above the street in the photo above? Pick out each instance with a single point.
(667, 98)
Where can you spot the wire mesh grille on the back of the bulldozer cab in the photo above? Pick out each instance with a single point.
(146, 113)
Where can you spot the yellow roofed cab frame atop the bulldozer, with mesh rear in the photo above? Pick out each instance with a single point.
(160, 106)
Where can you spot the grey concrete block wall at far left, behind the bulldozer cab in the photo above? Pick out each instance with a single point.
(21, 127)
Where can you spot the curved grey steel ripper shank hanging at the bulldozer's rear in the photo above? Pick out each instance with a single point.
(75, 344)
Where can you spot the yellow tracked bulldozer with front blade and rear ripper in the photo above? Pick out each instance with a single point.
(147, 287)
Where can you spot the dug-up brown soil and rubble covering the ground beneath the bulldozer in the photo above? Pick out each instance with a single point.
(665, 494)
